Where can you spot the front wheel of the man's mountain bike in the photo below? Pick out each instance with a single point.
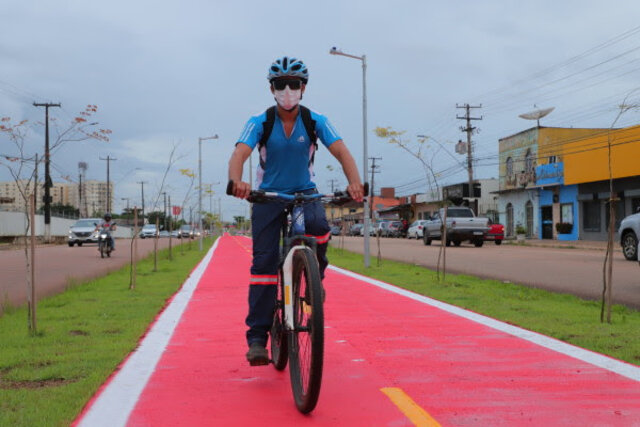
(306, 343)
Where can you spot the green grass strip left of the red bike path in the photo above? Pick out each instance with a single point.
(83, 334)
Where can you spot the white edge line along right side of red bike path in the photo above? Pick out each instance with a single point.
(602, 361)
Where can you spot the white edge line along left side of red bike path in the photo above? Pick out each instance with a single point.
(117, 400)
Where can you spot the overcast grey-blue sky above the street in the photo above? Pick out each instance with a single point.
(165, 73)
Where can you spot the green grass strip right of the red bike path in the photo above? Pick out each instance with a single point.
(562, 316)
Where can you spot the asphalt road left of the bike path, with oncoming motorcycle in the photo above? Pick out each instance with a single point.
(57, 266)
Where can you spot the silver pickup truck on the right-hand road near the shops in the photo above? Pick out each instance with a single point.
(462, 224)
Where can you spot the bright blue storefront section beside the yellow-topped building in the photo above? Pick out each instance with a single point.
(558, 204)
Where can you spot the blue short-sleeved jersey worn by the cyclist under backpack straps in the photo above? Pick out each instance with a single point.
(288, 162)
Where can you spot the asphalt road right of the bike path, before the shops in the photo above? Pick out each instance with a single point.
(566, 270)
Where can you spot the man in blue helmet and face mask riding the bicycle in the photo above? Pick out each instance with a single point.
(286, 139)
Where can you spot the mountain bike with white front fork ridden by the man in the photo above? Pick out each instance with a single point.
(297, 331)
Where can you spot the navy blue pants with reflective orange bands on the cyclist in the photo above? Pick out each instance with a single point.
(266, 226)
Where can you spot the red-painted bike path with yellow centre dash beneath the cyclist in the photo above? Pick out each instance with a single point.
(390, 359)
